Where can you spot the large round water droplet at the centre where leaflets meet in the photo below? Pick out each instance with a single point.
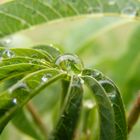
(70, 63)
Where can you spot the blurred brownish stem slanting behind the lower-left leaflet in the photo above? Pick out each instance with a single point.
(37, 119)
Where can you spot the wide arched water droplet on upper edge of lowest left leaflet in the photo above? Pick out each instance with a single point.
(18, 86)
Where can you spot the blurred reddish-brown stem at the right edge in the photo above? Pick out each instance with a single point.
(134, 114)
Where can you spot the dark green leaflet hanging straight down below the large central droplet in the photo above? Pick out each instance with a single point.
(66, 125)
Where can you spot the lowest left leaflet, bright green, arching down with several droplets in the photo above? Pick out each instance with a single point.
(20, 93)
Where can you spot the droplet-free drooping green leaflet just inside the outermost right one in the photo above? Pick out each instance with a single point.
(105, 110)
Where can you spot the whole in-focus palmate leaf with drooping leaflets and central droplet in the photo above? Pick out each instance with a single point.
(32, 81)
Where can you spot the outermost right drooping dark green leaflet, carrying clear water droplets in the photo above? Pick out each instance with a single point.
(116, 100)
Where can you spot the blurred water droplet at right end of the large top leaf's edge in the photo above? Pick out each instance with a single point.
(130, 11)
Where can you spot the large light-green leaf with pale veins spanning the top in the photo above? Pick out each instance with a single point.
(18, 15)
